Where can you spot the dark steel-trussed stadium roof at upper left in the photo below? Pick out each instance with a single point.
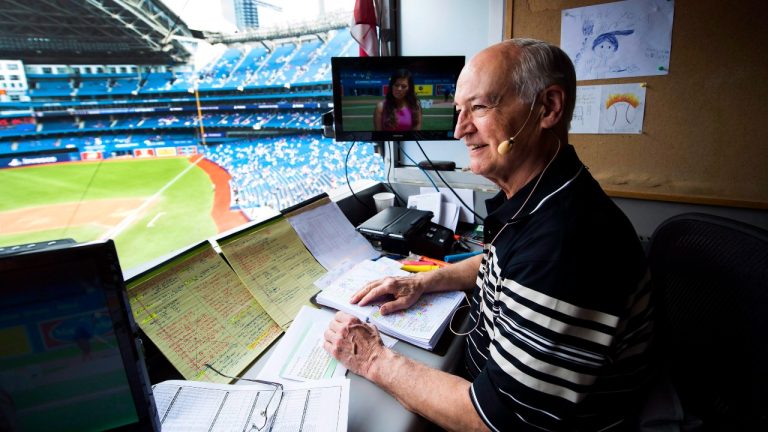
(92, 32)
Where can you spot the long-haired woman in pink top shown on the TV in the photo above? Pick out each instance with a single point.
(400, 110)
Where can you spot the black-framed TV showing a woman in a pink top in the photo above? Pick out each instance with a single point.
(394, 98)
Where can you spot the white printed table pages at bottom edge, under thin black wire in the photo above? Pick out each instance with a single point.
(189, 406)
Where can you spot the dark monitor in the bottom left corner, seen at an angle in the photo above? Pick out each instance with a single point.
(69, 359)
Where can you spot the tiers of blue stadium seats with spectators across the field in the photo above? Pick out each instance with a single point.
(290, 162)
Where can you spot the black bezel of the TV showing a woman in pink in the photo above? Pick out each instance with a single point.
(449, 64)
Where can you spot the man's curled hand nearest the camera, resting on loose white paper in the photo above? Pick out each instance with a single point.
(355, 344)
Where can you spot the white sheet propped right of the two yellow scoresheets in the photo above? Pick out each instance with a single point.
(330, 237)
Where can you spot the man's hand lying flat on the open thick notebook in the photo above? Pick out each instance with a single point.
(405, 289)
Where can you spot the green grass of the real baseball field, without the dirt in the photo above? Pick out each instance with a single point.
(178, 217)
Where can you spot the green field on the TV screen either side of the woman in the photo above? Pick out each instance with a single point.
(357, 113)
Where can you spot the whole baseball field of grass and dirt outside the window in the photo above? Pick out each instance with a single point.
(149, 207)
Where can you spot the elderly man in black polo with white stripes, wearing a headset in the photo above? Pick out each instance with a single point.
(560, 319)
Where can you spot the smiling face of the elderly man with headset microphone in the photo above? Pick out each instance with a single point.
(489, 113)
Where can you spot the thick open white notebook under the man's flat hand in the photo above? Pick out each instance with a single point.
(422, 324)
